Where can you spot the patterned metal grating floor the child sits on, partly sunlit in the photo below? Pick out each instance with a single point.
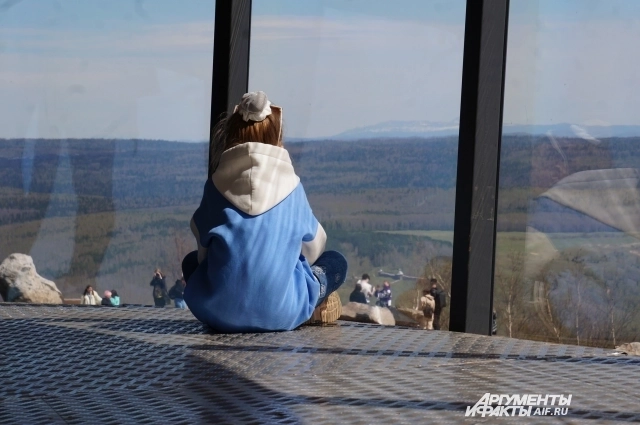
(76, 365)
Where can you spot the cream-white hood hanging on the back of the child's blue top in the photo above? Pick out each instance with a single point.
(255, 177)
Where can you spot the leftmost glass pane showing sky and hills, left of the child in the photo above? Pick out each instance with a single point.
(97, 101)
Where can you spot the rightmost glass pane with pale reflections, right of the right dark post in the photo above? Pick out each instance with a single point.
(568, 247)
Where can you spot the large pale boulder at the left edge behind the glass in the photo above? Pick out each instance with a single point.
(19, 282)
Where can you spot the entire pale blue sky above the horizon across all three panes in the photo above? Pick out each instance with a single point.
(142, 69)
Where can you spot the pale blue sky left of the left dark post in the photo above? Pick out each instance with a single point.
(107, 69)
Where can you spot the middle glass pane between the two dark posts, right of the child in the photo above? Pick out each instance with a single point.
(372, 92)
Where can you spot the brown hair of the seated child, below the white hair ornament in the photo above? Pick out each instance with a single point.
(233, 130)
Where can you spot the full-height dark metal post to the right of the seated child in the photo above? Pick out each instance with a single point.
(483, 71)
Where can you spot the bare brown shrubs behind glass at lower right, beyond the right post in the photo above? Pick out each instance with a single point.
(583, 296)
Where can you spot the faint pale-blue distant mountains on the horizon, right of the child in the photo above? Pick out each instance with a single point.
(403, 129)
